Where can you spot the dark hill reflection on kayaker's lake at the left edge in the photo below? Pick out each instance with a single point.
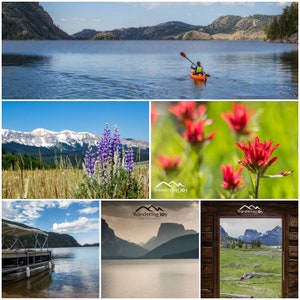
(23, 60)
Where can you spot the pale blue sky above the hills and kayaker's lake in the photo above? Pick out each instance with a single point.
(73, 17)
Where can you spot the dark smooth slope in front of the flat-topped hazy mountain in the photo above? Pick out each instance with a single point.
(186, 246)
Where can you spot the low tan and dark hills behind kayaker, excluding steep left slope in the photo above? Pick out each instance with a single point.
(225, 27)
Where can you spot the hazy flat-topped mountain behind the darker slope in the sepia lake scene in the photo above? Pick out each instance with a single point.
(166, 232)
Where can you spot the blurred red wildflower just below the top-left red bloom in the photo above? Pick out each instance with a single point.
(195, 132)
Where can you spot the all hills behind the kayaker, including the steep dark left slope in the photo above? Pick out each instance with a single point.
(28, 20)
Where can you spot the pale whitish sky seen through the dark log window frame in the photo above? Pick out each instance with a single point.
(237, 226)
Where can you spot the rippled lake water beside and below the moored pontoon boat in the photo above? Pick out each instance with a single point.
(76, 275)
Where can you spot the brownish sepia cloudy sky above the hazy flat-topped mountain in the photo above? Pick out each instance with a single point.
(119, 216)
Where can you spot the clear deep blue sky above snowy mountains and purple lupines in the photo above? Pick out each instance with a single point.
(131, 117)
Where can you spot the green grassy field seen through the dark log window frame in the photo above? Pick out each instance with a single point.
(265, 262)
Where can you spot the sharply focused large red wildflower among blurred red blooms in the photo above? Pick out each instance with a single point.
(257, 155)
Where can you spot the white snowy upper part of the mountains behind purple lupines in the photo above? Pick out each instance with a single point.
(45, 138)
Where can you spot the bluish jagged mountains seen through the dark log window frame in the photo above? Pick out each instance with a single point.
(271, 237)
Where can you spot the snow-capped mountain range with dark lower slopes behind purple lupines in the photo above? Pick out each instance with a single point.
(67, 143)
